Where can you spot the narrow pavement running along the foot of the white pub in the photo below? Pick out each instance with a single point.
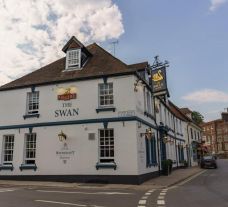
(160, 182)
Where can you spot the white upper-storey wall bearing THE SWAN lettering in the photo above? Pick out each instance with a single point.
(13, 102)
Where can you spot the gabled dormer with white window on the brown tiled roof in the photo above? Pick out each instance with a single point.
(76, 54)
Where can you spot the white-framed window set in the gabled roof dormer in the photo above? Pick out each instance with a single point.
(73, 59)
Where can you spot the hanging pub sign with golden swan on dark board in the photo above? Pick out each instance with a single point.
(159, 83)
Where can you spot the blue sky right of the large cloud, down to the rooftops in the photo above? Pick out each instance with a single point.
(192, 36)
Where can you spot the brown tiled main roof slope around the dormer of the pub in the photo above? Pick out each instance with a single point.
(101, 63)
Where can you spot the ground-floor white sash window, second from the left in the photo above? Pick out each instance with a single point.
(30, 148)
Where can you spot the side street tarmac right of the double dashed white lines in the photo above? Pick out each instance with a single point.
(210, 189)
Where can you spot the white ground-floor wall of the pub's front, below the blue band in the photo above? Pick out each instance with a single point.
(86, 153)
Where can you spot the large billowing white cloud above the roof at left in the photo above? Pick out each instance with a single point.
(33, 32)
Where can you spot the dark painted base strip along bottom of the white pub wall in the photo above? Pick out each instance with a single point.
(104, 179)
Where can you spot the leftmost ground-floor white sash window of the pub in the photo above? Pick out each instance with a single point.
(8, 146)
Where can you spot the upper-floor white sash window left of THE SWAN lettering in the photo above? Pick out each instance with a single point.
(33, 102)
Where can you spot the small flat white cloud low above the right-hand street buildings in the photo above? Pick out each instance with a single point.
(207, 96)
